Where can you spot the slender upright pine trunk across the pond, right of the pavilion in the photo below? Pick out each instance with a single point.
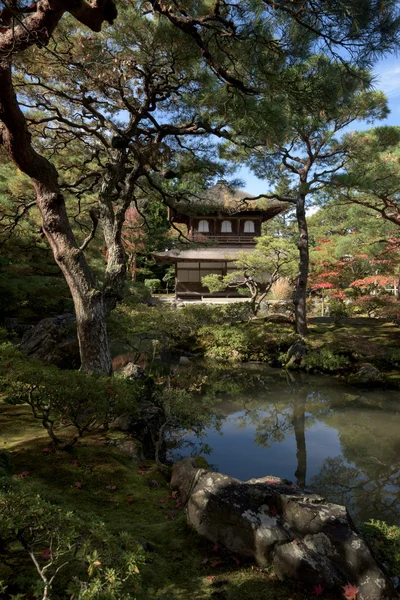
(300, 297)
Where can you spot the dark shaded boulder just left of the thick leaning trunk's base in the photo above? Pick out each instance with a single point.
(53, 341)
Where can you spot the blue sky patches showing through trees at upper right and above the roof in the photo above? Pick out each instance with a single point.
(387, 79)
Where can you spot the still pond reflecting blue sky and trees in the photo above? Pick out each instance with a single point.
(338, 440)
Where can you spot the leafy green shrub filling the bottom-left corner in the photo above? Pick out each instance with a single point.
(55, 550)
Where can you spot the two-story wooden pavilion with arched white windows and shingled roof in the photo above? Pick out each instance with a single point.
(221, 222)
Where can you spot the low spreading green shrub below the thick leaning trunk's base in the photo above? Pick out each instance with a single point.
(61, 398)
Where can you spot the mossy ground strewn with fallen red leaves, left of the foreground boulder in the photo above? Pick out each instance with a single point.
(96, 480)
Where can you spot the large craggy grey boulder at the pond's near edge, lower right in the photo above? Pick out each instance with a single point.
(269, 519)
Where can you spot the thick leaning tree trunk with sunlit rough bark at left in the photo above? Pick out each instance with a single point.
(87, 297)
